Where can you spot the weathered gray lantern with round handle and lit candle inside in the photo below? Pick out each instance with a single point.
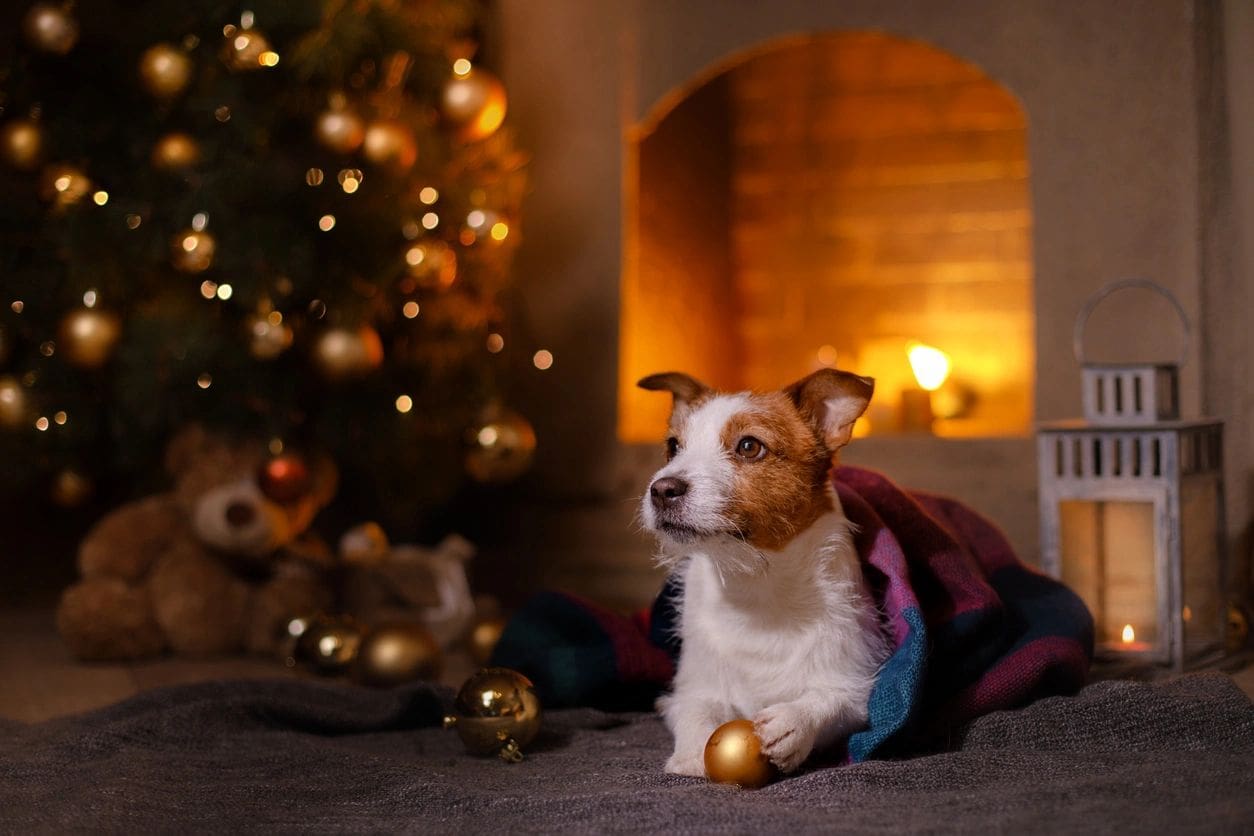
(1132, 509)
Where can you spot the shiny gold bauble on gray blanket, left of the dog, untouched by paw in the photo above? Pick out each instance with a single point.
(497, 713)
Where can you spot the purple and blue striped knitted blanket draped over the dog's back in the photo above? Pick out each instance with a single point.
(975, 630)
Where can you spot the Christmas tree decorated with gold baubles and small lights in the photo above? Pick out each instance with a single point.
(290, 221)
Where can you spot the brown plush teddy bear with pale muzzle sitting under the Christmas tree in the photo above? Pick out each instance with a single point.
(216, 566)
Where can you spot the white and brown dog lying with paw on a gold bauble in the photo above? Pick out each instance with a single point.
(777, 622)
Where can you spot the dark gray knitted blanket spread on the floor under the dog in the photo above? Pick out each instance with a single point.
(289, 756)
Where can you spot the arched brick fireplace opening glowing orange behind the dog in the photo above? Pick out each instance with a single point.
(836, 200)
